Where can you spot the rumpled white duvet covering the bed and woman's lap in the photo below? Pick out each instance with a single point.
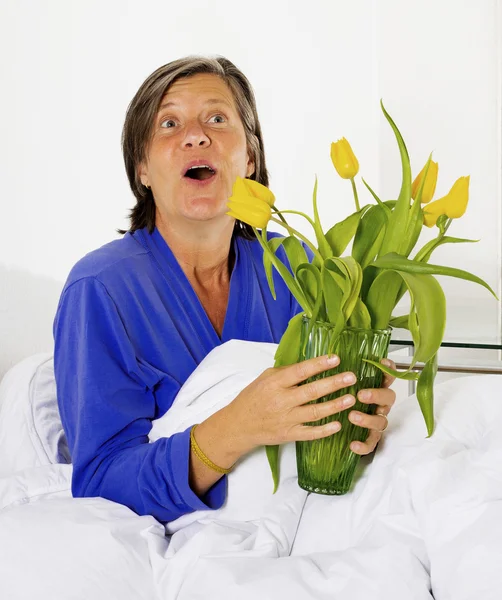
(424, 514)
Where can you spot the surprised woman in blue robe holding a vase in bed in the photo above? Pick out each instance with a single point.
(138, 315)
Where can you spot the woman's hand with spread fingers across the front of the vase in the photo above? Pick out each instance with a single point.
(274, 407)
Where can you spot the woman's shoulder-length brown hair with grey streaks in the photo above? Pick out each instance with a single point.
(140, 117)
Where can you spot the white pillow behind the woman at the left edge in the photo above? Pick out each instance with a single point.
(31, 434)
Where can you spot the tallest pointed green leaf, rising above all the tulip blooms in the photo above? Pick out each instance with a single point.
(396, 229)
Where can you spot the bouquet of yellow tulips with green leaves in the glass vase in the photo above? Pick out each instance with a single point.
(362, 288)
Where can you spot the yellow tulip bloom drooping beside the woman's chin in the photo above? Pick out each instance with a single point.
(251, 202)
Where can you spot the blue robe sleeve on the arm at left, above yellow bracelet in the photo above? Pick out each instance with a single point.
(106, 398)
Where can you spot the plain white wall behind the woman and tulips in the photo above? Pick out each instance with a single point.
(69, 68)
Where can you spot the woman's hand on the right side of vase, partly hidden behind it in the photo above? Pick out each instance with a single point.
(384, 398)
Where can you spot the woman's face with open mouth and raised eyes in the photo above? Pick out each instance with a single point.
(197, 122)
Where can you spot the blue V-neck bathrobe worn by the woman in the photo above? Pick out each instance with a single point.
(129, 330)
